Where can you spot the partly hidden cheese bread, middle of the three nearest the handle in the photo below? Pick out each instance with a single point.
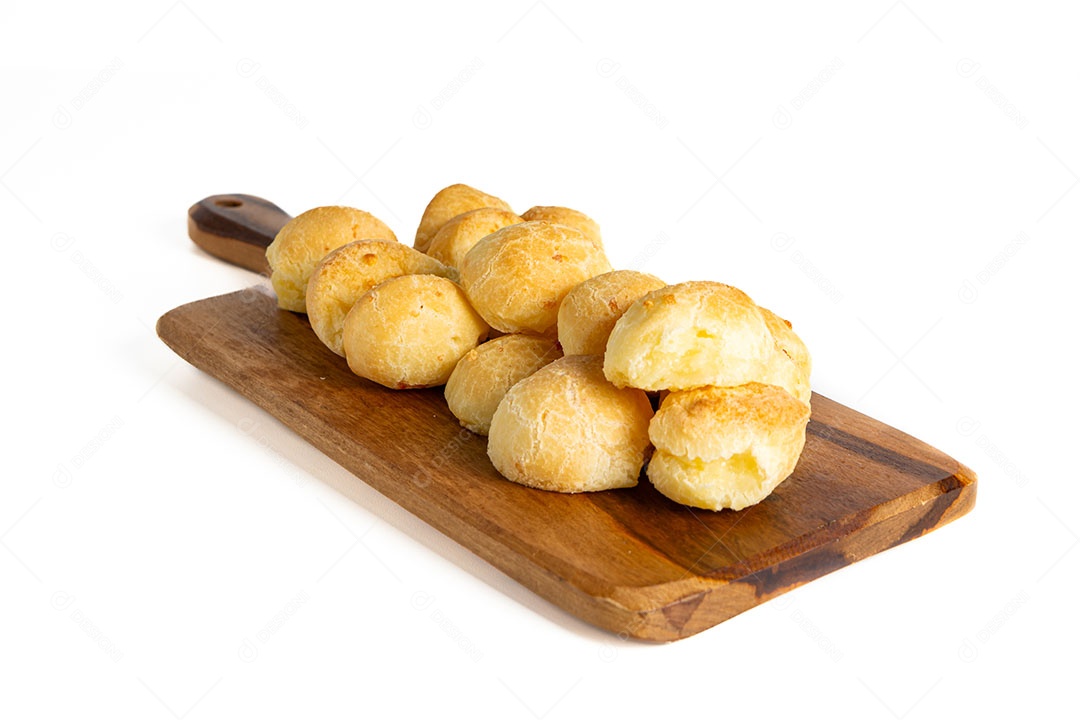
(344, 276)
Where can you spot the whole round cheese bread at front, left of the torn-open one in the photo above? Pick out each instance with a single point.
(565, 428)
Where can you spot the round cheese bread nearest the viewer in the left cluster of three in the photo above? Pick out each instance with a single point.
(410, 332)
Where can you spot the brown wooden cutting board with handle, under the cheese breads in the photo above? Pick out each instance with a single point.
(630, 561)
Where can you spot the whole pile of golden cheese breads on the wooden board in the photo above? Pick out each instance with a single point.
(557, 358)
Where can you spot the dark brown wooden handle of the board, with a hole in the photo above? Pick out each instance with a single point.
(237, 228)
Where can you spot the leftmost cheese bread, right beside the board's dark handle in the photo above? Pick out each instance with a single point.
(307, 239)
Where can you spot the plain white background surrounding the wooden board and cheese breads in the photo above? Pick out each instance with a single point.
(898, 180)
